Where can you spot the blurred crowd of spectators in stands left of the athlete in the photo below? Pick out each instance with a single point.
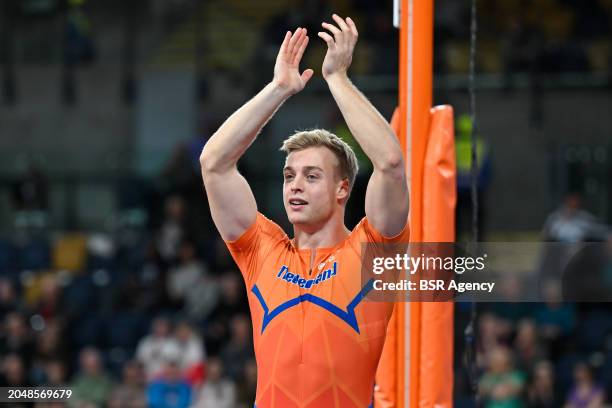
(158, 321)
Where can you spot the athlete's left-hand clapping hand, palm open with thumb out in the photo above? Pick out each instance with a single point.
(286, 70)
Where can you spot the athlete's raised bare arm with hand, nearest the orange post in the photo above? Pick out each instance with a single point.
(386, 202)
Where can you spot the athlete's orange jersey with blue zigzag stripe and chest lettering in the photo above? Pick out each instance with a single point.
(317, 342)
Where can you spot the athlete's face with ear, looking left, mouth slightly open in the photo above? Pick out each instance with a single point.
(312, 188)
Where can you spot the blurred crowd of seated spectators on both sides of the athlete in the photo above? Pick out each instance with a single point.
(160, 318)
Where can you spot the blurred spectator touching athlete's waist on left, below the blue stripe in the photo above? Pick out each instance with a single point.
(239, 350)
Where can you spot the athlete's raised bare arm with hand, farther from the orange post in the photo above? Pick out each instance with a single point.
(231, 200)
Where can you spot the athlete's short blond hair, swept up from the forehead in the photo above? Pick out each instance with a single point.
(348, 166)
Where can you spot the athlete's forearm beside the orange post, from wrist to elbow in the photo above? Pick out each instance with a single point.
(366, 124)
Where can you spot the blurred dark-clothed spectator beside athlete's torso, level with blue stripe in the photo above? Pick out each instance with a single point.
(232, 303)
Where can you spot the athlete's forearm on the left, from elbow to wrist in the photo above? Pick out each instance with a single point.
(230, 141)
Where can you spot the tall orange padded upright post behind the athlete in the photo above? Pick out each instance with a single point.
(416, 366)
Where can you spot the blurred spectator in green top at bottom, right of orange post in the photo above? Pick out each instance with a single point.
(501, 385)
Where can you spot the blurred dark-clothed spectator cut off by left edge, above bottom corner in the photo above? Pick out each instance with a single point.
(17, 338)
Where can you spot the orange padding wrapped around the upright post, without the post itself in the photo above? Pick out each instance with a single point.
(433, 321)
